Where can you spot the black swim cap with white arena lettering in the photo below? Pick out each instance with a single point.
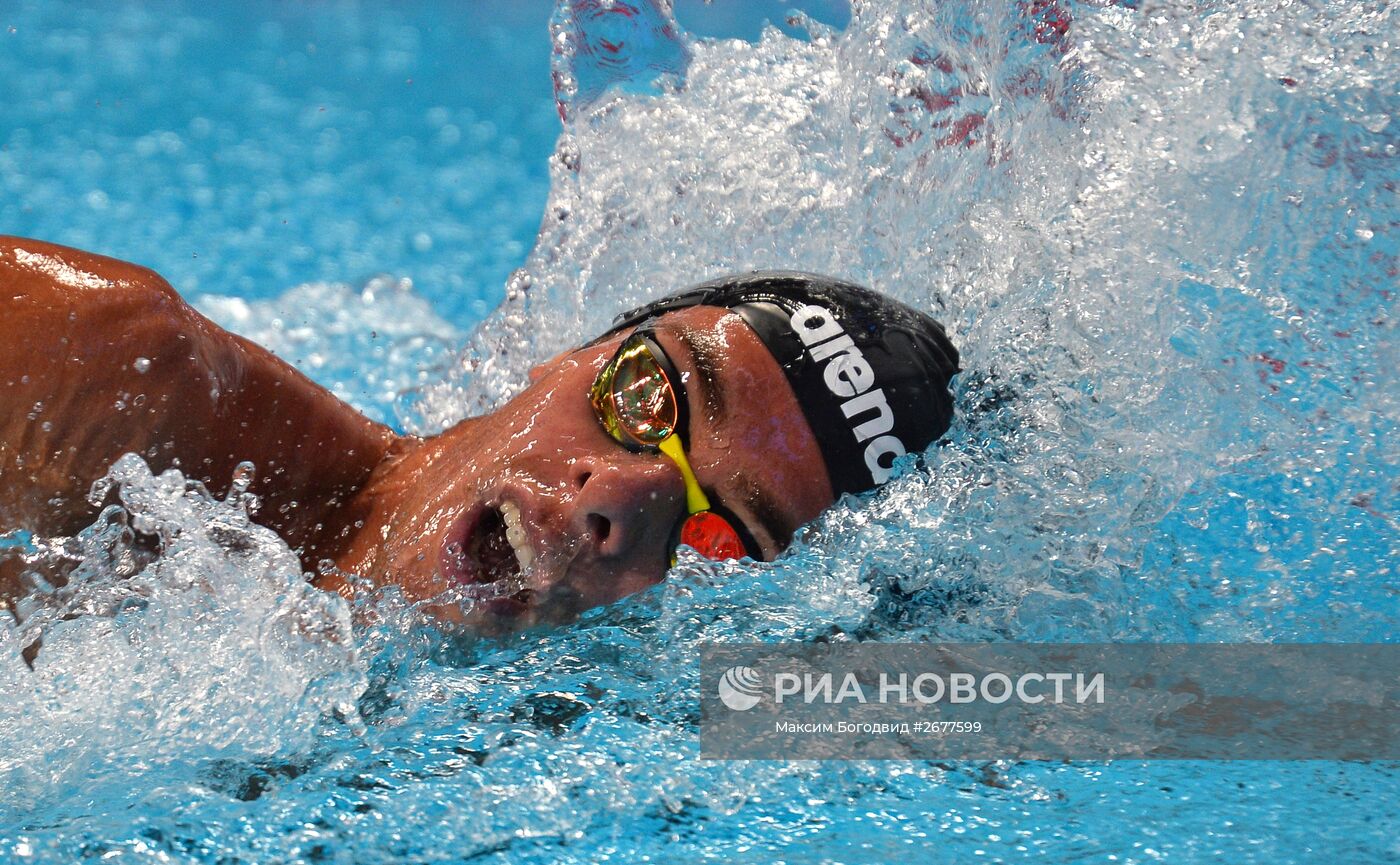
(870, 373)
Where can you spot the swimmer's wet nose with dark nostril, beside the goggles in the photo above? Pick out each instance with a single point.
(628, 503)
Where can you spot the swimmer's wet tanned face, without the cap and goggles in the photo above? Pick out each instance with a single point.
(541, 484)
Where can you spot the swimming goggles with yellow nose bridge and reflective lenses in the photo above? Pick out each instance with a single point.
(636, 401)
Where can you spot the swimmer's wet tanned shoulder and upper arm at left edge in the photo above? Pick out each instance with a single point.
(101, 358)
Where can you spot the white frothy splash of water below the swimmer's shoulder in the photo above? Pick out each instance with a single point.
(213, 647)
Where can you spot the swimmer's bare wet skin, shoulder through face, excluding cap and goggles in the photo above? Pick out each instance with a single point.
(597, 517)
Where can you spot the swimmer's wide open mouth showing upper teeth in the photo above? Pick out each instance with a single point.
(493, 554)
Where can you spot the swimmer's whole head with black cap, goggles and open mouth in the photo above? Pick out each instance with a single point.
(752, 404)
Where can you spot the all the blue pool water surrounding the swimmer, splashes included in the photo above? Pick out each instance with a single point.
(1165, 240)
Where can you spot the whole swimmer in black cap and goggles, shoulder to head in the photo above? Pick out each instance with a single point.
(723, 419)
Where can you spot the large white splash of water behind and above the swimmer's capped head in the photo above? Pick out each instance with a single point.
(1164, 243)
